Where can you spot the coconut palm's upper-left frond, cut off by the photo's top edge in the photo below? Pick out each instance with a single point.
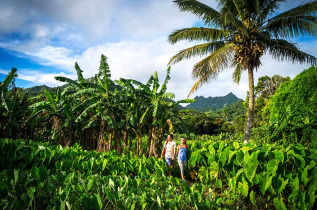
(209, 15)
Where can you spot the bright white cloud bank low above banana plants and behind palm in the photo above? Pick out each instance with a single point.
(139, 60)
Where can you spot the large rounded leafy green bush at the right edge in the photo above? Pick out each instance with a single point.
(293, 109)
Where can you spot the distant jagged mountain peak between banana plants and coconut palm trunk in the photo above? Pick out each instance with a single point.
(203, 104)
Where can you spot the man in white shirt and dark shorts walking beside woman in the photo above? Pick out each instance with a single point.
(169, 150)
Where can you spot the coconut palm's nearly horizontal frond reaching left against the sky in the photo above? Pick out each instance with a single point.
(197, 33)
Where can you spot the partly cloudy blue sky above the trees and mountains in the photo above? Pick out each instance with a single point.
(43, 39)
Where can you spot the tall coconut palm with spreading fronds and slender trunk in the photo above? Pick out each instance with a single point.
(238, 34)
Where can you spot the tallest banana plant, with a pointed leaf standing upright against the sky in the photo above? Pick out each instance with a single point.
(101, 106)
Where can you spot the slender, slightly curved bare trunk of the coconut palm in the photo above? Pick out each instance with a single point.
(247, 133)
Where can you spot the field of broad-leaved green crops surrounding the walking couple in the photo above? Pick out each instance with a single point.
(229, 174)
